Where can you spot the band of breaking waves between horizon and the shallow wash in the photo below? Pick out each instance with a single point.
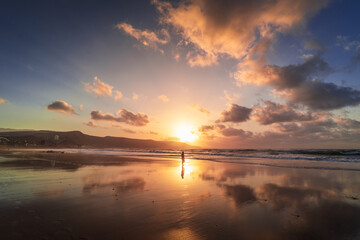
(322, 155)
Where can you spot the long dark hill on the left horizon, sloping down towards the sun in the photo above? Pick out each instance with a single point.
(74, 139)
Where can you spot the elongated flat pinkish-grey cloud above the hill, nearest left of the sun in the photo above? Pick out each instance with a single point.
(123, 115)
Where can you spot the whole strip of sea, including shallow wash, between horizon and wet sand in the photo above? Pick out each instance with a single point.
(332, 159)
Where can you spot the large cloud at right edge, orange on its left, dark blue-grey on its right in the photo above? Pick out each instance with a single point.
(300, 84)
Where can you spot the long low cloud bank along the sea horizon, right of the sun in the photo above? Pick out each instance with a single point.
(323, 131)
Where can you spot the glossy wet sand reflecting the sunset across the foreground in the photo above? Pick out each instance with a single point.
(75, 196)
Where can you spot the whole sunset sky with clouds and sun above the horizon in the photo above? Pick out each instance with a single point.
(216, 74)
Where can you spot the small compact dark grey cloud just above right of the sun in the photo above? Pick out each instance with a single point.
(235, 113)
